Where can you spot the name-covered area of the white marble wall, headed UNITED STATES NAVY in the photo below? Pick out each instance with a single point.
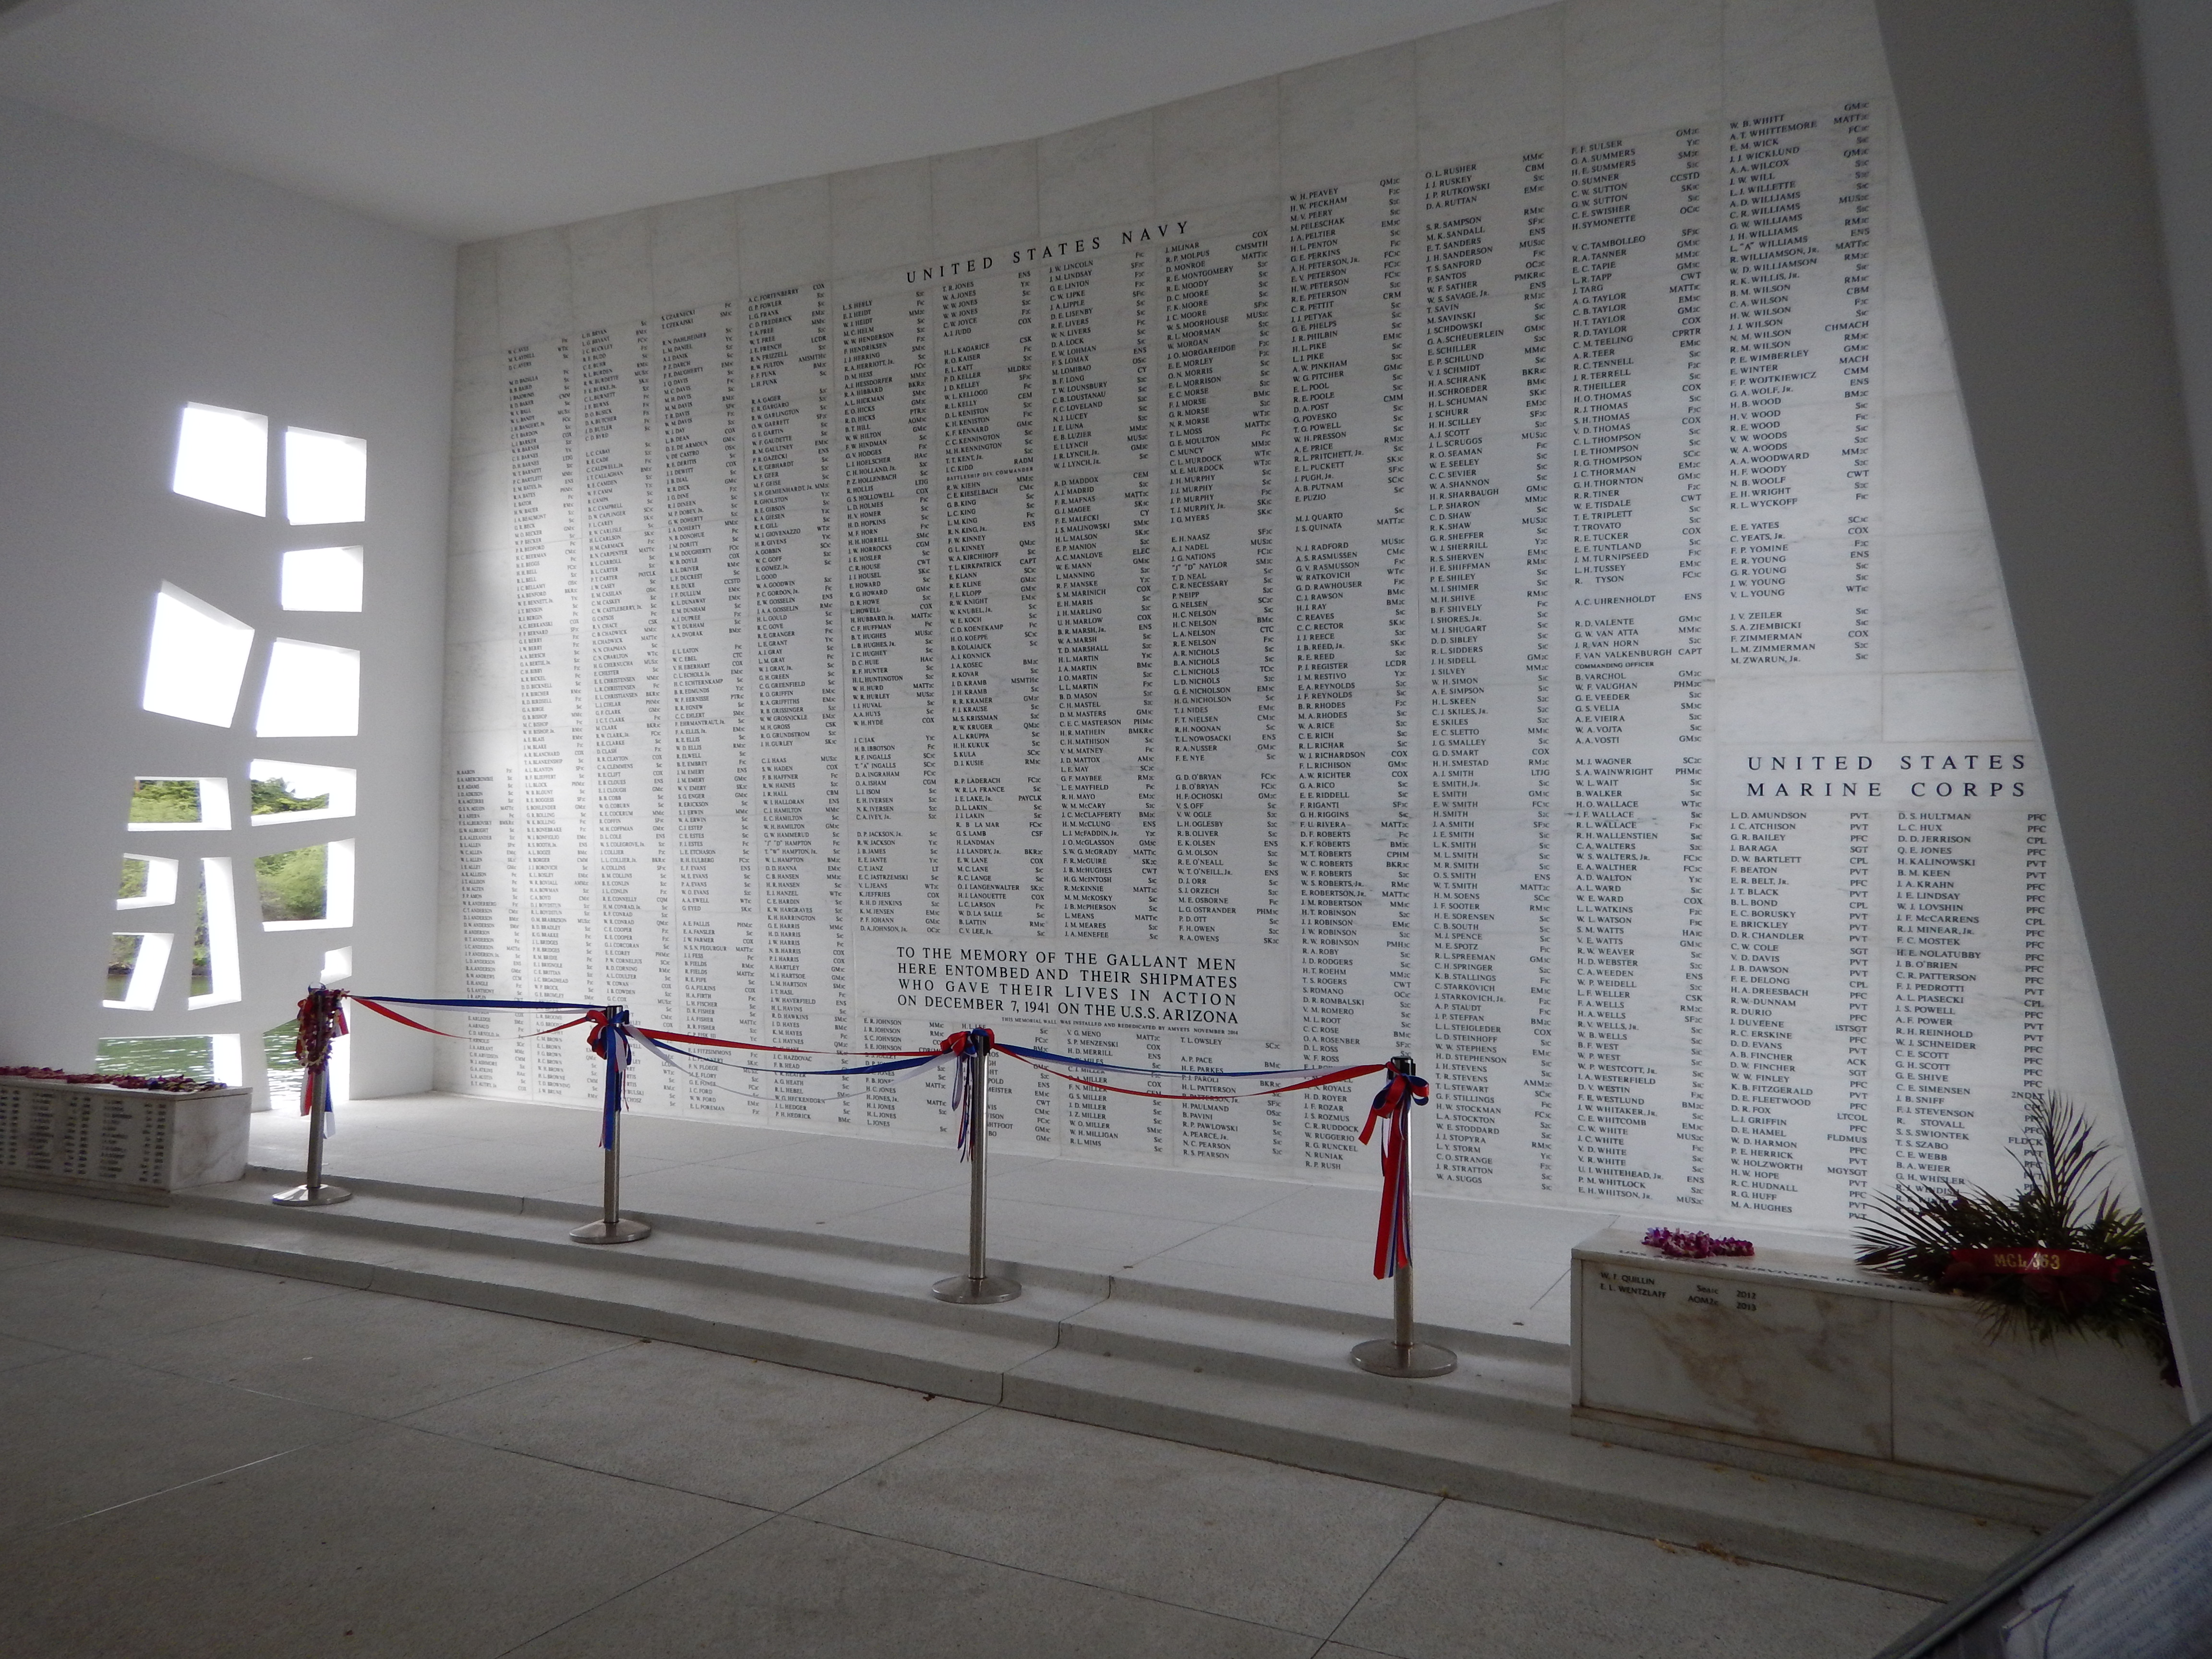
(1485, 609)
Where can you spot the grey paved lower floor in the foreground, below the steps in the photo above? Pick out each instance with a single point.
(200, 1461)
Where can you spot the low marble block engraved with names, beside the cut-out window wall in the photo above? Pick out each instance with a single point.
(121, 1142)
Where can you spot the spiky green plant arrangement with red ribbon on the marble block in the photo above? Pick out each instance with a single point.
(2047, 1262)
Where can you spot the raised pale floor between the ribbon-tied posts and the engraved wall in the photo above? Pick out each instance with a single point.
(1483, 1266)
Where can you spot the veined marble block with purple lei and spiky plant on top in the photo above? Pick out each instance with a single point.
(1808, 1366)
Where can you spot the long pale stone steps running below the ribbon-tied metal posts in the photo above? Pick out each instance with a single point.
(1213, 1370)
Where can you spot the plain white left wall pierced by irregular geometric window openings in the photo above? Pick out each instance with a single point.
(134, 282)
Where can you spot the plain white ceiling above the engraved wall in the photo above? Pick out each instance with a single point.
(474, 118)
